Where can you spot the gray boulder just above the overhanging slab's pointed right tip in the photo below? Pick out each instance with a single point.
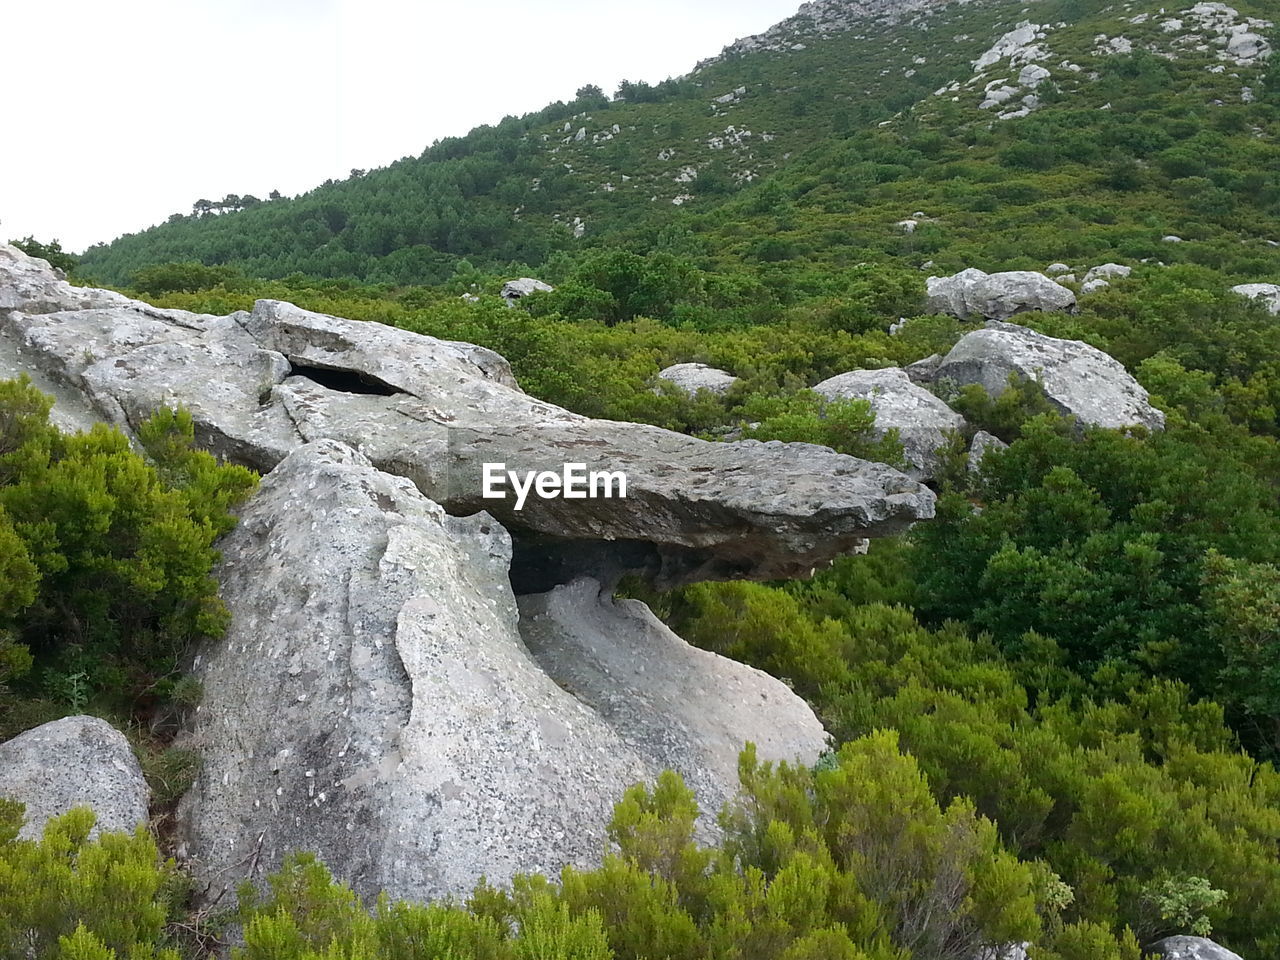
(924, 422)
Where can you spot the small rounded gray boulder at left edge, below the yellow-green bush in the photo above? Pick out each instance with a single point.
(75, 762)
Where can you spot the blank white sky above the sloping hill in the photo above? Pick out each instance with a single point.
(125, 112)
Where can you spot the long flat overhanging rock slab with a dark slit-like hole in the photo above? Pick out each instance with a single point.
(263, 385)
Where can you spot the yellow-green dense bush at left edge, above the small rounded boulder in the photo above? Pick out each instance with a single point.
(107, 556)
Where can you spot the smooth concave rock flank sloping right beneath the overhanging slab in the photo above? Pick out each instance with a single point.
(675, 706)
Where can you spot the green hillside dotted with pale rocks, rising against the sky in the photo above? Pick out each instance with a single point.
(810, 145)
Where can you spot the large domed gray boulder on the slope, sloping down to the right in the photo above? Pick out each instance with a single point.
(1078, 380)
